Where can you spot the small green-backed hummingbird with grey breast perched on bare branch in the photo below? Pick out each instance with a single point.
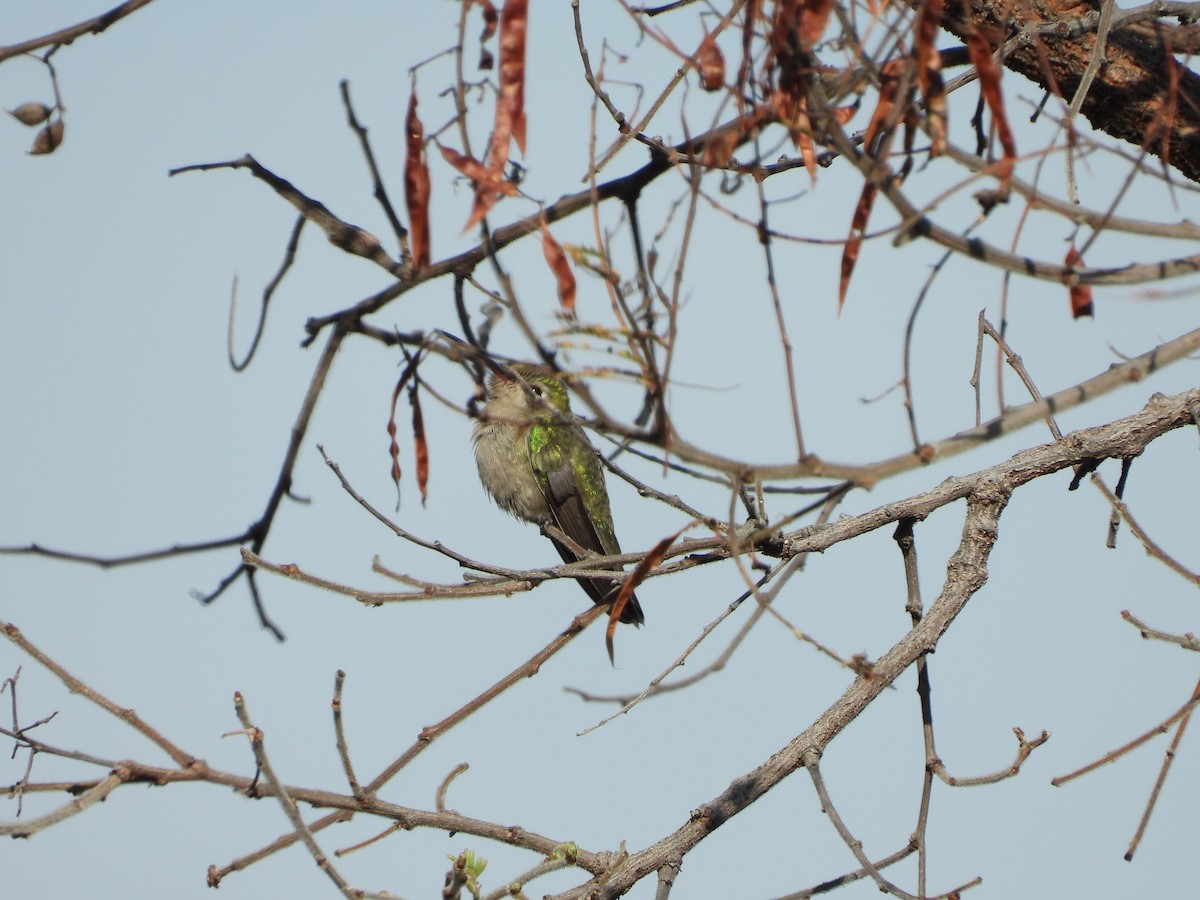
(537, 464)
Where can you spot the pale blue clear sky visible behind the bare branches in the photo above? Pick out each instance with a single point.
(125, 430)
